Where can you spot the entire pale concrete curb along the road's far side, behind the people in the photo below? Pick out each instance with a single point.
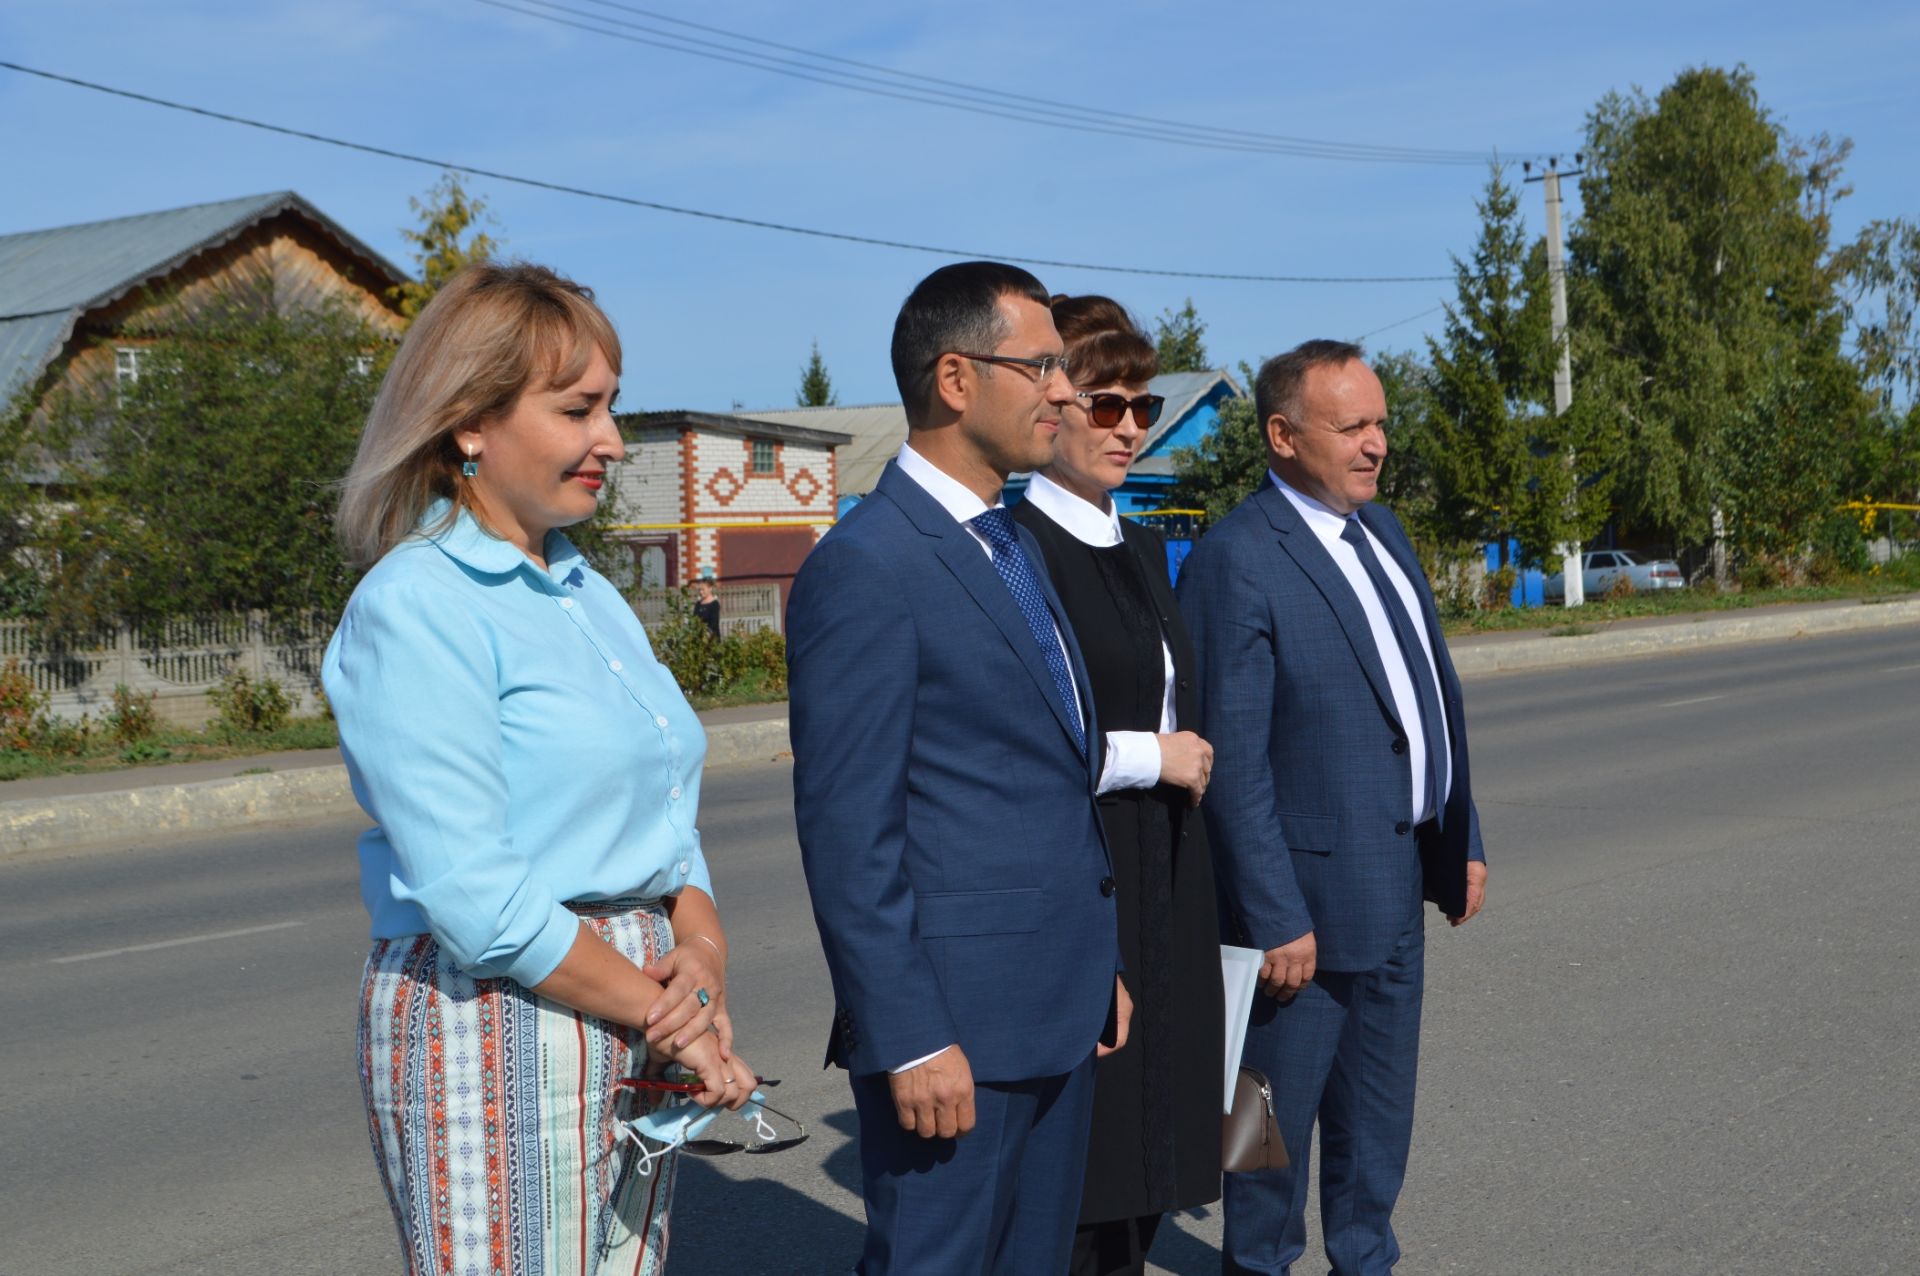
(279, 797)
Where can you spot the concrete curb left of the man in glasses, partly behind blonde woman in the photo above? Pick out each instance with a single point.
(274, 797)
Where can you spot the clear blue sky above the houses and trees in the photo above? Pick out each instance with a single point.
(715, 316)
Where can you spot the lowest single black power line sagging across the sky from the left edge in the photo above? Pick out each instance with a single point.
(709, 216)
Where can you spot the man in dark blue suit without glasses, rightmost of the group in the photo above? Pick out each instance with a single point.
(1339, 803)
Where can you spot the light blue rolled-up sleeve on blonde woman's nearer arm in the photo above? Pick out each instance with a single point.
(416, 688)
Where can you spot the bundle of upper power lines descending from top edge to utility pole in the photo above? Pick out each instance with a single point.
(961, 97)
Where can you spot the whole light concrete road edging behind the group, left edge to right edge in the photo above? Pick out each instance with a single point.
(76, 811)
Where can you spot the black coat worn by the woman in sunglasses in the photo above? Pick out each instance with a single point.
(1155, 1139)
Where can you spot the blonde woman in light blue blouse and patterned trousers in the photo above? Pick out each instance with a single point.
(542, 914)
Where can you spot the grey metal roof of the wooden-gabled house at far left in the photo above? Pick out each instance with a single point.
(53, 277)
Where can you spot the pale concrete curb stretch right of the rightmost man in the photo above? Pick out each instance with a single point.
(1547, 653)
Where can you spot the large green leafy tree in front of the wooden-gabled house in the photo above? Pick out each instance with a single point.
(208, 484)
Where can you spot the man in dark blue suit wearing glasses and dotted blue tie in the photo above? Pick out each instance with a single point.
(944, 786)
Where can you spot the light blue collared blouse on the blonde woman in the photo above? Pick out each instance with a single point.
(517, 745)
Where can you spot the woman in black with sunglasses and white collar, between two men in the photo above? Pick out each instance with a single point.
(1157, 1104)
